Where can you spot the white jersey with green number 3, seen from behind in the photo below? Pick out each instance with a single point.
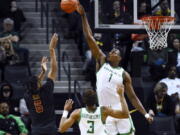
(91, 123)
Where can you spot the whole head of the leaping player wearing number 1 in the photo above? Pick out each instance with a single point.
(114, 56)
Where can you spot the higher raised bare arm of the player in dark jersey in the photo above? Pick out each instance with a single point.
(53, 63)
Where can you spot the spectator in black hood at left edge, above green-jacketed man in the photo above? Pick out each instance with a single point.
(6, 93)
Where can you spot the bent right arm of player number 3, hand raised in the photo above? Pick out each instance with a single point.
(121, 113)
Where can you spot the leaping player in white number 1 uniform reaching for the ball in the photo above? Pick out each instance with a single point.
(109, 75)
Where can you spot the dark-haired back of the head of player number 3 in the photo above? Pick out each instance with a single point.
(90, 98)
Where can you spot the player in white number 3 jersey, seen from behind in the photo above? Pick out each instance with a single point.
(92, 118)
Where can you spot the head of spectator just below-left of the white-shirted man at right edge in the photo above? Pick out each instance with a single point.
(160, 90)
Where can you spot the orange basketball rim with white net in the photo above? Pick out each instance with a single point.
(158, 28)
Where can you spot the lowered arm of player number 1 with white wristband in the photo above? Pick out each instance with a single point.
(133, 98)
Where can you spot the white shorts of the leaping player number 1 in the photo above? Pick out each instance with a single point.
(119, 126)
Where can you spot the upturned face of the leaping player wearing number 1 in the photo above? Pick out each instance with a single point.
(114, 56)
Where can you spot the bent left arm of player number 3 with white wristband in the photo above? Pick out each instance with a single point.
(65, 122)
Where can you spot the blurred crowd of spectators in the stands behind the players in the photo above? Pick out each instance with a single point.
(163, 64)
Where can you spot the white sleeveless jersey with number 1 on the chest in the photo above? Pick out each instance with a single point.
(107, 80)
